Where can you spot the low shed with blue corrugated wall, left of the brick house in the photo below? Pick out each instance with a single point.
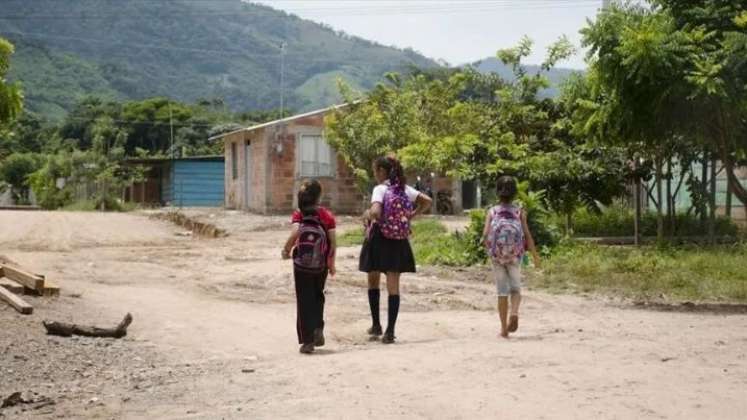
(183, 182)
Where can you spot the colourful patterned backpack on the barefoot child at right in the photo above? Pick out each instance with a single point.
(506, 235)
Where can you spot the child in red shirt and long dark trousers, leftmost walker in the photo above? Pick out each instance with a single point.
(310, 274)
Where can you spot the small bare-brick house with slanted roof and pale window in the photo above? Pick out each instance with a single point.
(265, 164)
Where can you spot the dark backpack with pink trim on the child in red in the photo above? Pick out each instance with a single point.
(312, 247)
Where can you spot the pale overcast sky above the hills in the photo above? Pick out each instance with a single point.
(453, 30)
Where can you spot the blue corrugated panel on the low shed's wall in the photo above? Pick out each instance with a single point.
(198, 183)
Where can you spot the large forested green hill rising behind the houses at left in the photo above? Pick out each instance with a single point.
(184, 49)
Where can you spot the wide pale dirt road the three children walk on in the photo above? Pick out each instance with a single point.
(213, 337)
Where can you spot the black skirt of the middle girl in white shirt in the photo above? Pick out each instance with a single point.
(386, 255)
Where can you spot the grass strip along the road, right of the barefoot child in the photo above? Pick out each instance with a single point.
(674, 274)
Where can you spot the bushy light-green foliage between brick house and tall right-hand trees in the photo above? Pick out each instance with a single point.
(476, 127)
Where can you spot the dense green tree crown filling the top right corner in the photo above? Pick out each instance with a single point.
(670, 80)
